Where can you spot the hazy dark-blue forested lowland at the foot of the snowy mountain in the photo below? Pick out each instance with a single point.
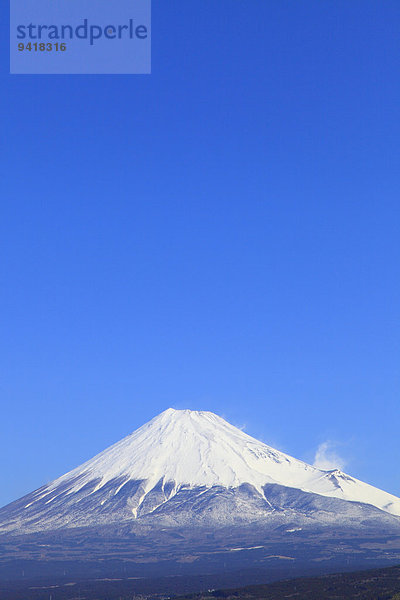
(99, 564)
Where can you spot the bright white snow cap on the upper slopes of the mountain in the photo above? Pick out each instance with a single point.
(199, 448)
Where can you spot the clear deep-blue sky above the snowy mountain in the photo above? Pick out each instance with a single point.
(220, 235)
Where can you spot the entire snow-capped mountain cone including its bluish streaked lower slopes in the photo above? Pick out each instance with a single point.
(192, 465)
